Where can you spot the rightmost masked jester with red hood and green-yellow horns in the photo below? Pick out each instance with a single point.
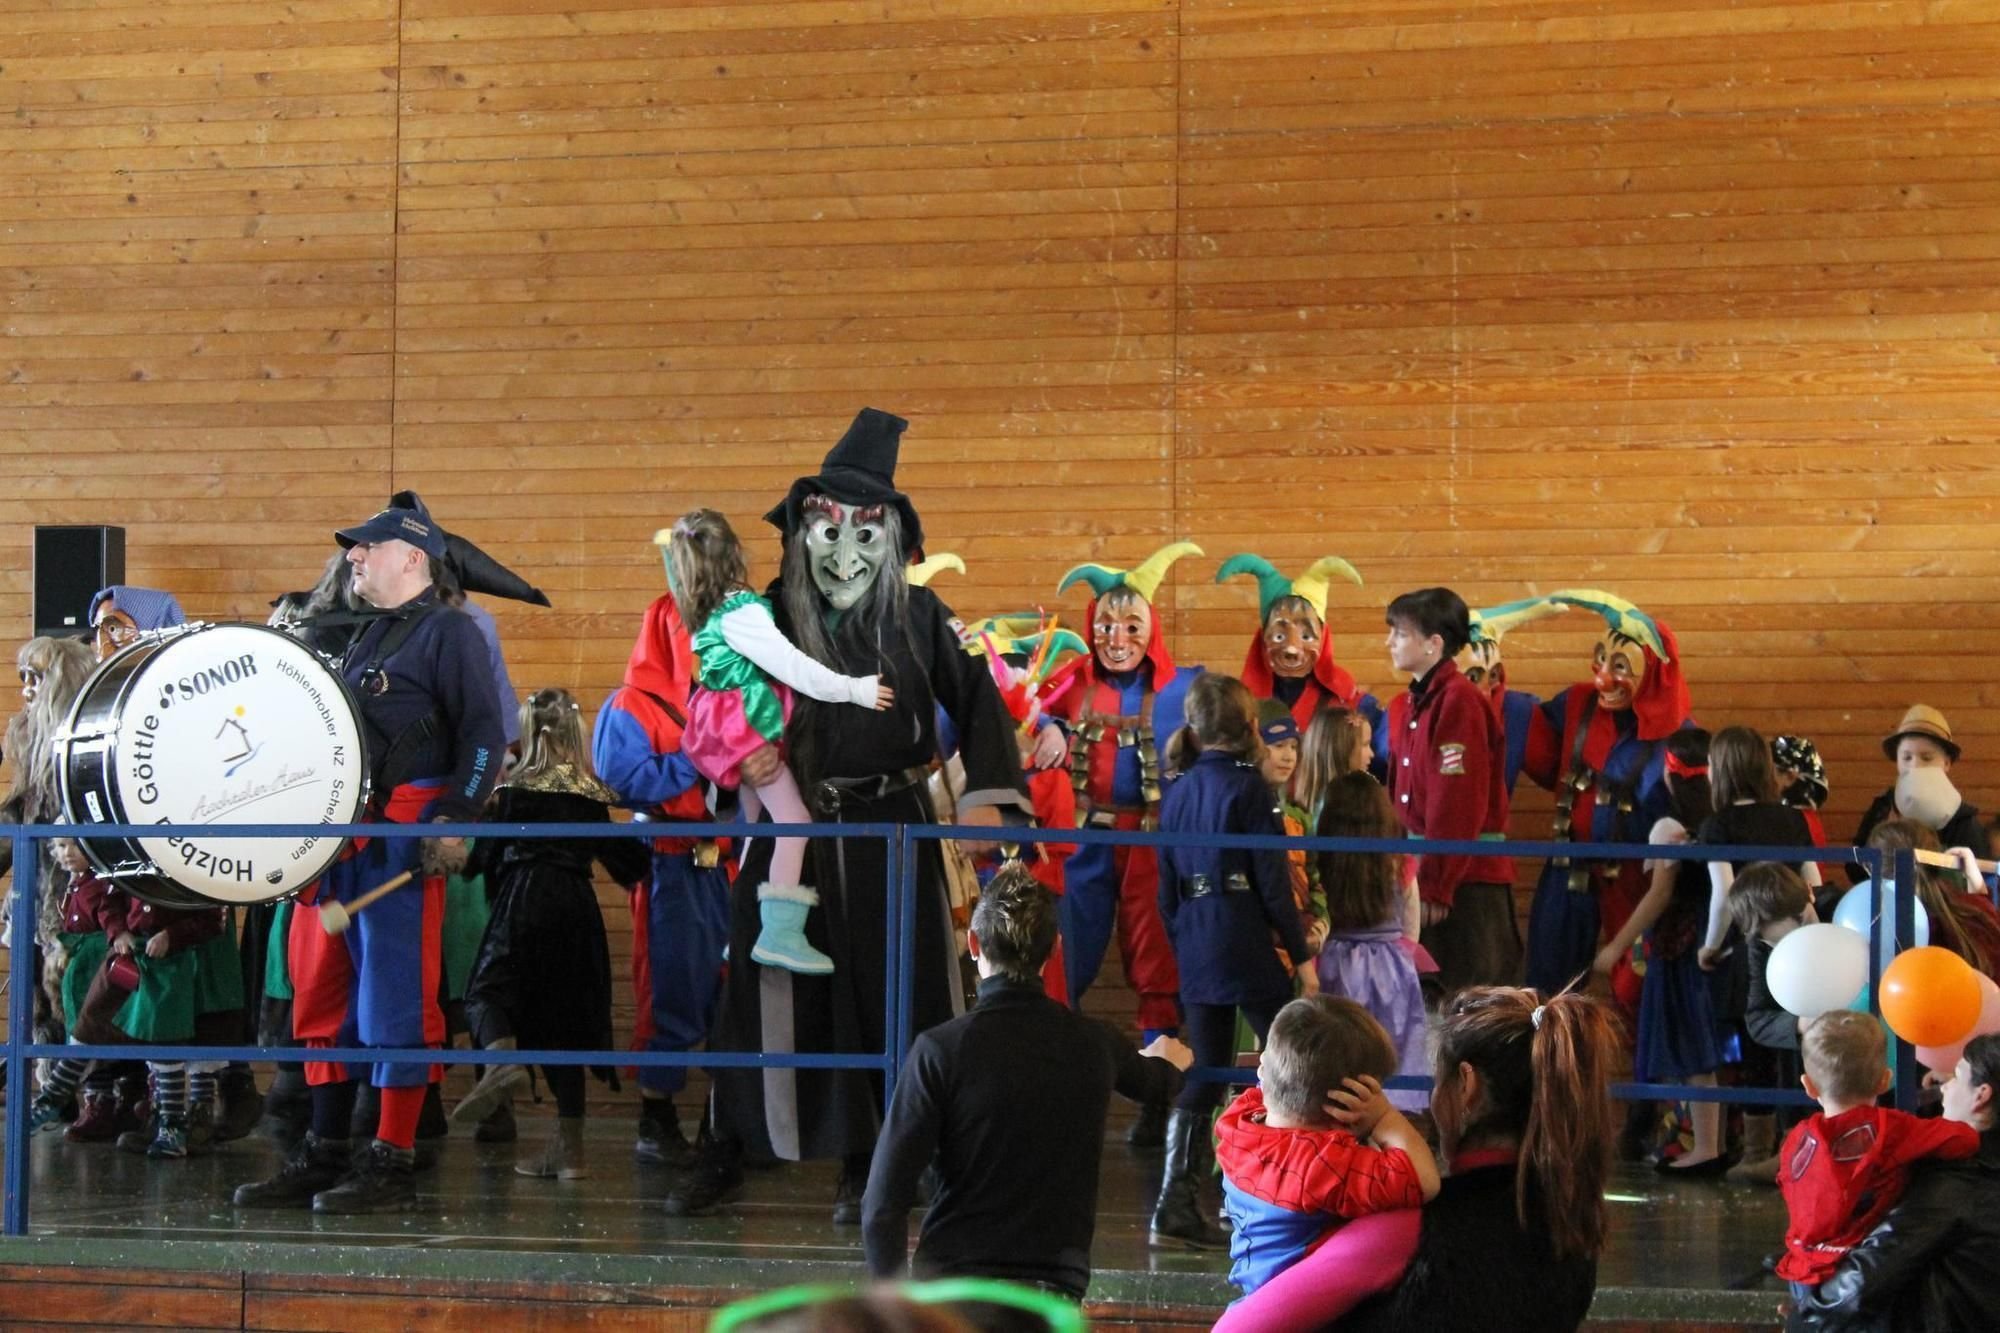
(1599, 748)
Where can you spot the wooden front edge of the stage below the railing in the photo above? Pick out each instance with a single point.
(63, 1282)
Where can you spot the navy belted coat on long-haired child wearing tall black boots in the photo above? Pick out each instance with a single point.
(1221, 908)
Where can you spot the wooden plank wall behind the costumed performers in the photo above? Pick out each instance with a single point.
(1687, 301)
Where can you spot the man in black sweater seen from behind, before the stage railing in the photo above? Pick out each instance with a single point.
(1011, 1106)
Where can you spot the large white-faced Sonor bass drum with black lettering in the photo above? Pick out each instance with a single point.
(213, 726)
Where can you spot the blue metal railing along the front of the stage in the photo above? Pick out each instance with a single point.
(899, 950)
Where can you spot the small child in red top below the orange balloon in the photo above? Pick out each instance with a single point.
(1847, 1166)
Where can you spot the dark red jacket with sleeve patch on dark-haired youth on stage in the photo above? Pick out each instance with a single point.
(1447, 758)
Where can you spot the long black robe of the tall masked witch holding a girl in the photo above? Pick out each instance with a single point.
(833, 1114)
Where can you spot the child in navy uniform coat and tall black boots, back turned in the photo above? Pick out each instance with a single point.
(1221, 910)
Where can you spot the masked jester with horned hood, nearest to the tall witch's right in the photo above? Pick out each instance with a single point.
(1121, 704)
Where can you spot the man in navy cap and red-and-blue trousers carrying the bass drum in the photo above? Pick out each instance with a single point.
(423, 680)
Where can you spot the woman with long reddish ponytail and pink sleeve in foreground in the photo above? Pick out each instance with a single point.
(1511, 1244)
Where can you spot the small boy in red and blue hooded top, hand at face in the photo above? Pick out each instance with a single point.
(1295, 1168)
